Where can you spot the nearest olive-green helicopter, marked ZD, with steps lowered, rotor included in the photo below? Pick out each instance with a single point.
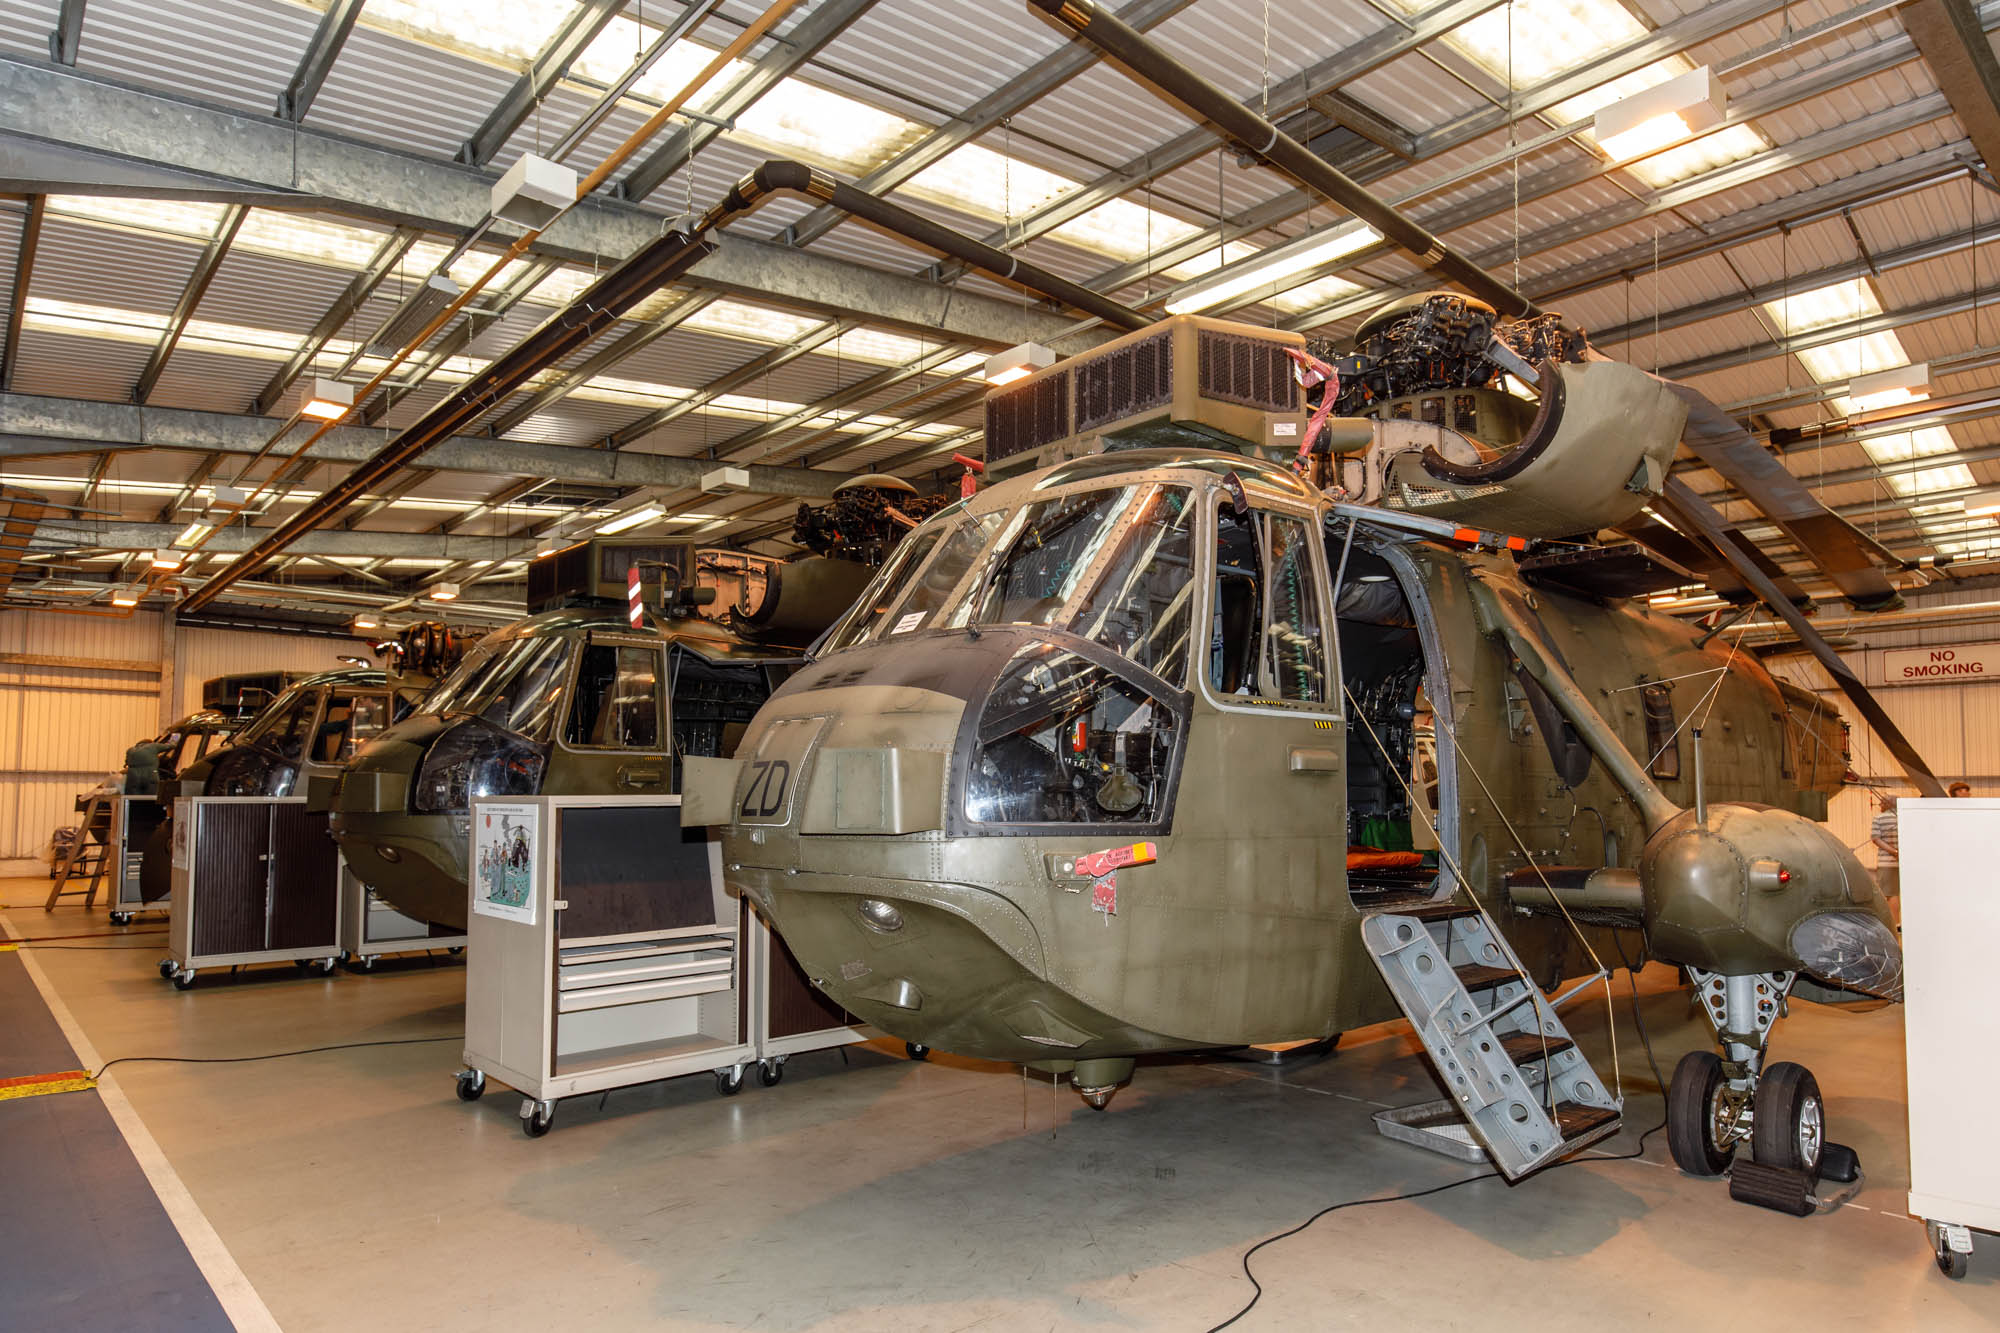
(1159, 746)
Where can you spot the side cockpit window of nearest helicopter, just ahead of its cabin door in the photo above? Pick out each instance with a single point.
(1267, 633)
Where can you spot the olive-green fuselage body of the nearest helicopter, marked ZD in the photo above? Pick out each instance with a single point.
(1079, 806)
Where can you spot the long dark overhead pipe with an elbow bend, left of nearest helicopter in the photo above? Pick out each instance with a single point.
(663, 261)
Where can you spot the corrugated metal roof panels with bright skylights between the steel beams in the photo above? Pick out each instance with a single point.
(929, 63)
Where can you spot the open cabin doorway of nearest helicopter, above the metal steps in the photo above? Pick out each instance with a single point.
(1393, 764)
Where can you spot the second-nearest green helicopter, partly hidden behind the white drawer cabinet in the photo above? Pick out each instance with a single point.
(593, 694)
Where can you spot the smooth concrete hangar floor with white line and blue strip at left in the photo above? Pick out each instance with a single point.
(865, 1192)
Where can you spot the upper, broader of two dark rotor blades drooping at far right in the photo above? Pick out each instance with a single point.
(1847, 555)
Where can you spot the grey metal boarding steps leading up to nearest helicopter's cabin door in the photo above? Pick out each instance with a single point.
(1521, 1092)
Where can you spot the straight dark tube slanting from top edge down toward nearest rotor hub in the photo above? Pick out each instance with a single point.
(1275, 149)
